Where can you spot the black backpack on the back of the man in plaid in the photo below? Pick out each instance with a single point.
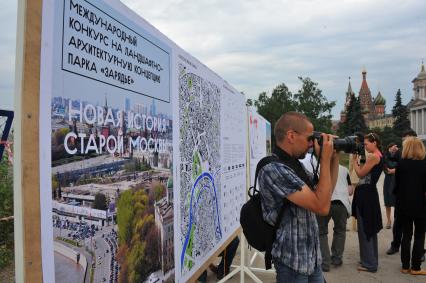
(259, 234)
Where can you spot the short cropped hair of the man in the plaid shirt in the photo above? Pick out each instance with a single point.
(290, 121)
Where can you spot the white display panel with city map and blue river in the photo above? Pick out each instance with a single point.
(211, 161)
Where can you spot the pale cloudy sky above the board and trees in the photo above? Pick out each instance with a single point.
(257, 44)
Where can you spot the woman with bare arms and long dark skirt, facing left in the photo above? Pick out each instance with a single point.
(366, 205)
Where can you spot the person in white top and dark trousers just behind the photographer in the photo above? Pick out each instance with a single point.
(339, 212)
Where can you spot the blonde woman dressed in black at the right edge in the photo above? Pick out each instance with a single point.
(410, 191)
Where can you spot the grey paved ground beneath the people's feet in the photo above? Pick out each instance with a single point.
(389, 265)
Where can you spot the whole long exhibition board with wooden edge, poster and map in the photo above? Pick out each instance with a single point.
(141, 149)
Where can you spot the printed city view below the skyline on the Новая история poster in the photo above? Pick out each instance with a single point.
(112, 191)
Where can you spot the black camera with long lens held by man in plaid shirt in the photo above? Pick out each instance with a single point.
(350, 144)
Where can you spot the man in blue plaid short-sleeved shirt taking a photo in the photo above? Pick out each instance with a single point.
(296, 249)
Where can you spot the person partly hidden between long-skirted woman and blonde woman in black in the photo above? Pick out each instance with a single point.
(391, 160)
